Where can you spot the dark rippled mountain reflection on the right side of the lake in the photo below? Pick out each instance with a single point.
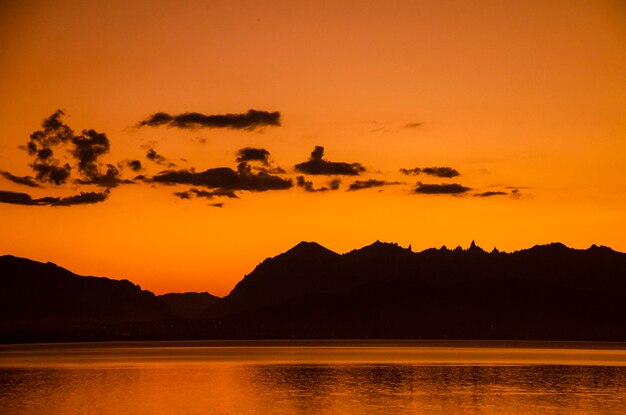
(447, 389)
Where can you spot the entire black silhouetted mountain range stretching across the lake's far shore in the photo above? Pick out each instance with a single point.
(548, 292)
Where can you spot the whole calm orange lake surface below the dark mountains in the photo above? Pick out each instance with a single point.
(312, 378)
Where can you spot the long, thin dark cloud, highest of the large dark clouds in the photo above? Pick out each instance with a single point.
(190, 120)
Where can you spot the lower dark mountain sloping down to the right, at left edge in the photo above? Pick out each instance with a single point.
(37, 294)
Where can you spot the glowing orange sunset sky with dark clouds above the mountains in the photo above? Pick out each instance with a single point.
(179, 144)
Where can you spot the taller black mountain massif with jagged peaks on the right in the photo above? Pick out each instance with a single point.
(386, 291)
